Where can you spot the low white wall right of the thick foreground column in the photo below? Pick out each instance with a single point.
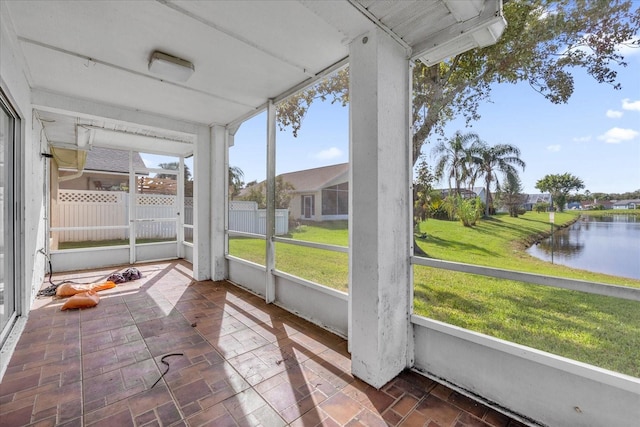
(549, 389)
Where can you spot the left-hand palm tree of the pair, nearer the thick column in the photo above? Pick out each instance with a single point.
(453, 158)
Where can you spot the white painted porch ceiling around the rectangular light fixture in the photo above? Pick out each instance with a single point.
(244, 52)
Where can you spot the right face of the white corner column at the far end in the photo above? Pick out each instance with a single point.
(219, 190)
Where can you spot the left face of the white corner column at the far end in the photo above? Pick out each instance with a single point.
(202, 190)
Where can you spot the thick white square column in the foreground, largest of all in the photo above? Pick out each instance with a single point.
(380, 234)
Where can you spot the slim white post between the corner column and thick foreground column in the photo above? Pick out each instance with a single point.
(270, 292)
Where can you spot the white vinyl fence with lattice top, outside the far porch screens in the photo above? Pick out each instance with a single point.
(82, 208)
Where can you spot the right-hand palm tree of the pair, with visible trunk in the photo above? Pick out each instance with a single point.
(503, 158)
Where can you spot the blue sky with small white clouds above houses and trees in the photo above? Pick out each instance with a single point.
(595, 136)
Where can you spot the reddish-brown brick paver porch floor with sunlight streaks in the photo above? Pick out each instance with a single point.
(232, 361)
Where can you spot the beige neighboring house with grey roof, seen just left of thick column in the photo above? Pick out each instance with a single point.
(320, 194)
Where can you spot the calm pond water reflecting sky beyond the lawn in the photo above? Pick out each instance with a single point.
(604, 244)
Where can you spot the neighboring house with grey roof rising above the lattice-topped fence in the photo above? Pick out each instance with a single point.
(105, 169)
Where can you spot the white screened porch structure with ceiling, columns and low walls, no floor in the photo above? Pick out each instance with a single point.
(180, 78)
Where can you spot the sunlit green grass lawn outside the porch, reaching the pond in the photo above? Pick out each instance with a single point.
(593, 329)
